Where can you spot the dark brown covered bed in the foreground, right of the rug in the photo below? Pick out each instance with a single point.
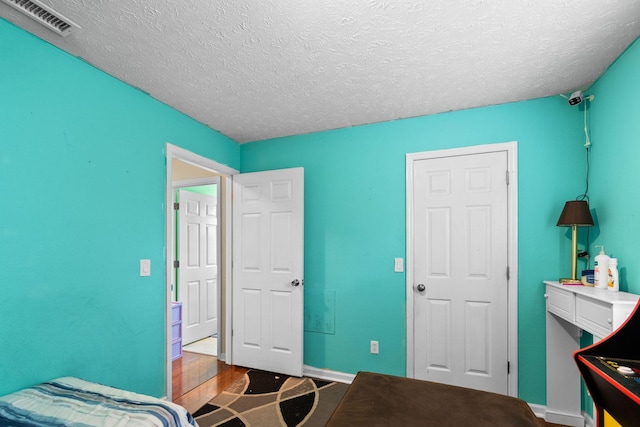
(377, 400)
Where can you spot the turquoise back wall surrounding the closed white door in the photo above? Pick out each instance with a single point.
(355, 223)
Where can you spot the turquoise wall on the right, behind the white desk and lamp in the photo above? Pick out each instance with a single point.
(615, 124)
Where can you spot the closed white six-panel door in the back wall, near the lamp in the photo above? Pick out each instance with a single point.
(460, 270)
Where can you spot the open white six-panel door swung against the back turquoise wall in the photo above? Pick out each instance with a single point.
(268, 215)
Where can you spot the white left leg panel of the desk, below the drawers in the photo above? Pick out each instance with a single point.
(563, 377)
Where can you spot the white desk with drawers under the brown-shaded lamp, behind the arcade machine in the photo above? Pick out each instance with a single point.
(571, 310)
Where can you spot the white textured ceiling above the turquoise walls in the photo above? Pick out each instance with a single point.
(261, 69)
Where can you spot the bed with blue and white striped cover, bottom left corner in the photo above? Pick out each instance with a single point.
(72, 401)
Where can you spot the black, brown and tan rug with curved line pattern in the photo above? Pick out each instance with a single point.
(266, 399)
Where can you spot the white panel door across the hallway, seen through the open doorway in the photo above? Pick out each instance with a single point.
(198, 265)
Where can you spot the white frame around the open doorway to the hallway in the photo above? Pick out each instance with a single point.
(175, 152)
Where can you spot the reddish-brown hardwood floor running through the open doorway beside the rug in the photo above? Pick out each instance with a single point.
(197, 378)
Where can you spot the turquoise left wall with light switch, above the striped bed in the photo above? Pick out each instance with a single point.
(73, 302)
